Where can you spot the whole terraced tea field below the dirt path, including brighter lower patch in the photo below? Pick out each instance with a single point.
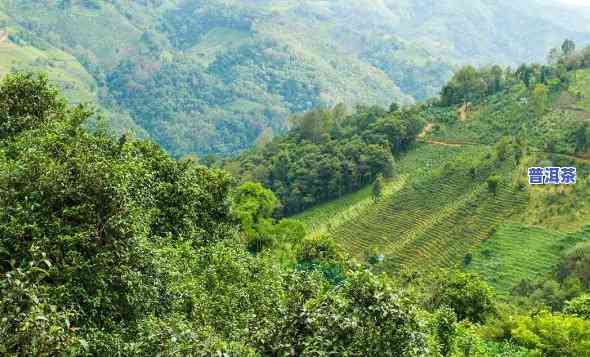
(436, 212)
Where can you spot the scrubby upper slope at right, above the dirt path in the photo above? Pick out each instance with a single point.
(545, 104)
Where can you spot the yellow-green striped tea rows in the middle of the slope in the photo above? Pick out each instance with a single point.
(434, 225)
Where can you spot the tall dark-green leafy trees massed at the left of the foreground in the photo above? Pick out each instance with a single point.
(93, 206)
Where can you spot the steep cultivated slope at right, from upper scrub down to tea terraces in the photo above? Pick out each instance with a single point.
(442, 211)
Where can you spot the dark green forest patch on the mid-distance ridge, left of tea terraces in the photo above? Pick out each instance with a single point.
(328, 154)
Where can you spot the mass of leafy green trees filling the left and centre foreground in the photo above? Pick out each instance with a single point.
(111, 247)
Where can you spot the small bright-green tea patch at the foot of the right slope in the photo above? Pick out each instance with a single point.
(516, 251)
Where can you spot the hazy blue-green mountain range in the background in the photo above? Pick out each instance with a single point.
(211, 76)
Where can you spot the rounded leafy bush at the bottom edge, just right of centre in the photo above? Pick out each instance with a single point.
(365, 317)
